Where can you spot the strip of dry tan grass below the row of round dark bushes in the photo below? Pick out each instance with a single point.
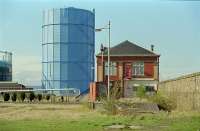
(42, 111)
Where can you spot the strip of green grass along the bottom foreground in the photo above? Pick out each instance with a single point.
(98, 123)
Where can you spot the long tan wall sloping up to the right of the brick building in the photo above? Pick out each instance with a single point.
(184, 90)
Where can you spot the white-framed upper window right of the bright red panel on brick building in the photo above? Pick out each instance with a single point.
(138, 68)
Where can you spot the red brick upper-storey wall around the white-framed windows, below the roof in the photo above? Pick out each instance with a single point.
(151, 66)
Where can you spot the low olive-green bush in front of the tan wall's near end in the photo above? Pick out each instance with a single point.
(164, 103)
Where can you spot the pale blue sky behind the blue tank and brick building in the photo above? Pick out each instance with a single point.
(172, 26)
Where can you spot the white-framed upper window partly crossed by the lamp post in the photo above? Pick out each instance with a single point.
(113, 68)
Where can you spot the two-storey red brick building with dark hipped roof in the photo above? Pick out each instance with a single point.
(131, 64)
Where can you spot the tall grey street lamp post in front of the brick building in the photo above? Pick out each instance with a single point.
(100, 29)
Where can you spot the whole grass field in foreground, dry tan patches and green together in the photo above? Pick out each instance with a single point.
(62, 117)
